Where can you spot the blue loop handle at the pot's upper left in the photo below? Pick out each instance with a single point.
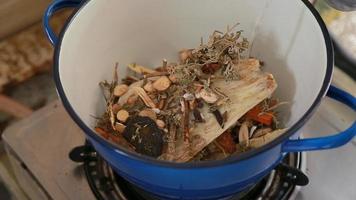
(51, 9)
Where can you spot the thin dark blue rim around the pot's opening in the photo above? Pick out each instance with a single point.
(233, 159)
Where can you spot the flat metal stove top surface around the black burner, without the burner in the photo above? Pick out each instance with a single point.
(38, 148)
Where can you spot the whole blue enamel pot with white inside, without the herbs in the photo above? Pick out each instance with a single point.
(288, 35)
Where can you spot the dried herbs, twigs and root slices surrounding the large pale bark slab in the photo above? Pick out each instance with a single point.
(150, 111)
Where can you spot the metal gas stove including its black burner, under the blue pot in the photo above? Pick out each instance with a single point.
(39, 148)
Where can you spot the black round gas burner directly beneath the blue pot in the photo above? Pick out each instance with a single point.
(106, 184)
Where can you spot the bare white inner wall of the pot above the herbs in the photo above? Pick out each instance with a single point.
(284, 35)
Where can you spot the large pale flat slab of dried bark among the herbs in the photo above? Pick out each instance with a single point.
(244, 94)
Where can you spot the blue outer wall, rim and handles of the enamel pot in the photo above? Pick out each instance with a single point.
(206, 180)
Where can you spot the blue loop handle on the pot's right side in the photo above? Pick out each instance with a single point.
(328, 142)
